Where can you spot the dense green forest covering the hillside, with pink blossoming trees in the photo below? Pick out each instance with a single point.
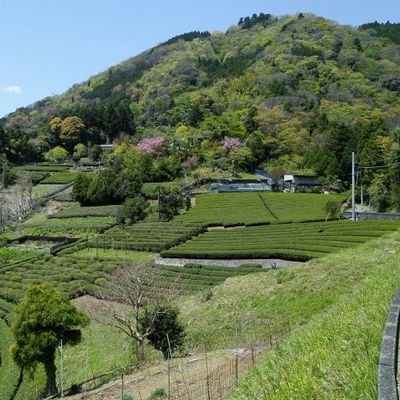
(298, 93)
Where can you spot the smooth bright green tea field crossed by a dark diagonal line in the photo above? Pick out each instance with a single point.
(256, 208)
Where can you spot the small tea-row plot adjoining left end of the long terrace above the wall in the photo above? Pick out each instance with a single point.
(146, 236)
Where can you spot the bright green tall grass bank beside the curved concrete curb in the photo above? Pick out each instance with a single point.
(336, 355)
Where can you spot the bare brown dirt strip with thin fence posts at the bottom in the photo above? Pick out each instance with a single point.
(191, 378)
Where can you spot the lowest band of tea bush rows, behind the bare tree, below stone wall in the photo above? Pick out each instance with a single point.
(80, 273)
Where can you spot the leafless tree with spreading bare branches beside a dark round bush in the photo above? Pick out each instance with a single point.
(144, 292)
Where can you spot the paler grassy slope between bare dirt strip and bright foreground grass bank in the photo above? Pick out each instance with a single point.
(259, 305)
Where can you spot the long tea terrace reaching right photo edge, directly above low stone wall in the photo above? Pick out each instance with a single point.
(286, 241)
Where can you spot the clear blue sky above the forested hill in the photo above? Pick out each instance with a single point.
(46, 46)
